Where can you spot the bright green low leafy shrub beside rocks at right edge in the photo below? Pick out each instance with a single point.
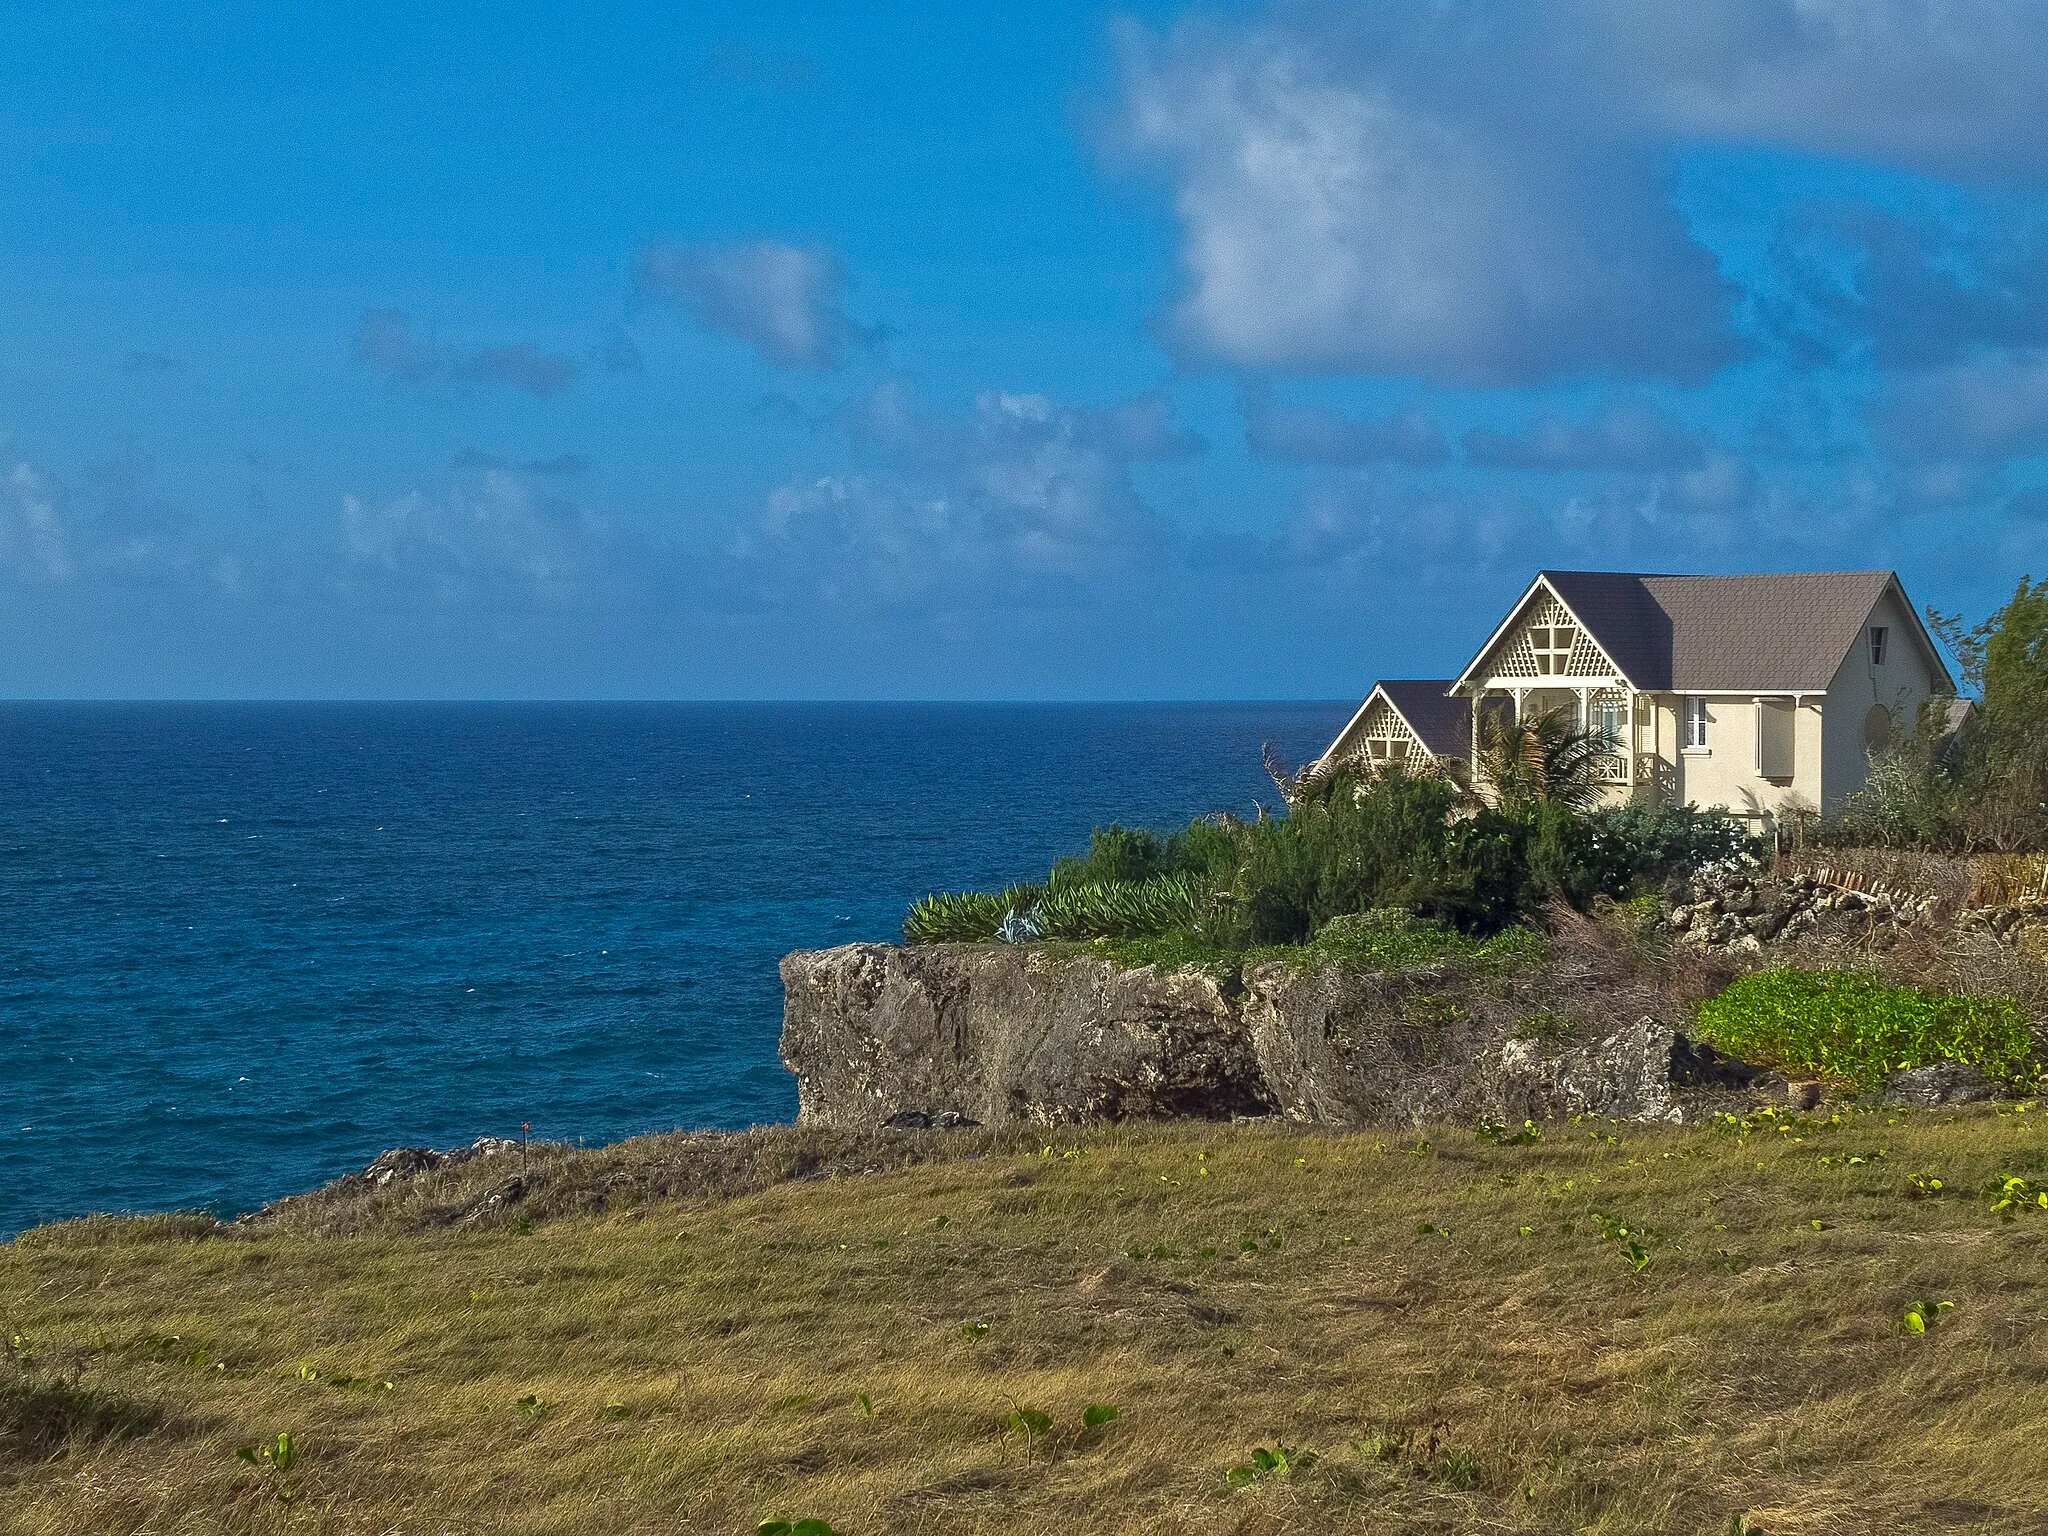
(1850, 1025)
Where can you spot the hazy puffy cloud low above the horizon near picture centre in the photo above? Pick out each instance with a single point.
(1019, 503)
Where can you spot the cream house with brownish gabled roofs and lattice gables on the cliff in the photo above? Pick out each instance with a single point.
(1750, 693)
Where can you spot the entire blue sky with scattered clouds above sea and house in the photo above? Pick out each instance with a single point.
(1050, 351)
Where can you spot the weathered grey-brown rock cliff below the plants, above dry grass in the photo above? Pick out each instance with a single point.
(992, 1035)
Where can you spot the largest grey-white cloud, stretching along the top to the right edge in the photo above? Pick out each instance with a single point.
(1482, 194)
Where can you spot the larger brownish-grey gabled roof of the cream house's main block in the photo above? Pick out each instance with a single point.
(1723, 634)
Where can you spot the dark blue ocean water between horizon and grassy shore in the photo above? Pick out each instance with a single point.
(247, 947)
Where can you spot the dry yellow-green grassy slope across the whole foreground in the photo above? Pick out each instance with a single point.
(1533, 1381)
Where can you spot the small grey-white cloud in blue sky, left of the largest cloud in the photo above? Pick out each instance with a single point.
(779, 298)
